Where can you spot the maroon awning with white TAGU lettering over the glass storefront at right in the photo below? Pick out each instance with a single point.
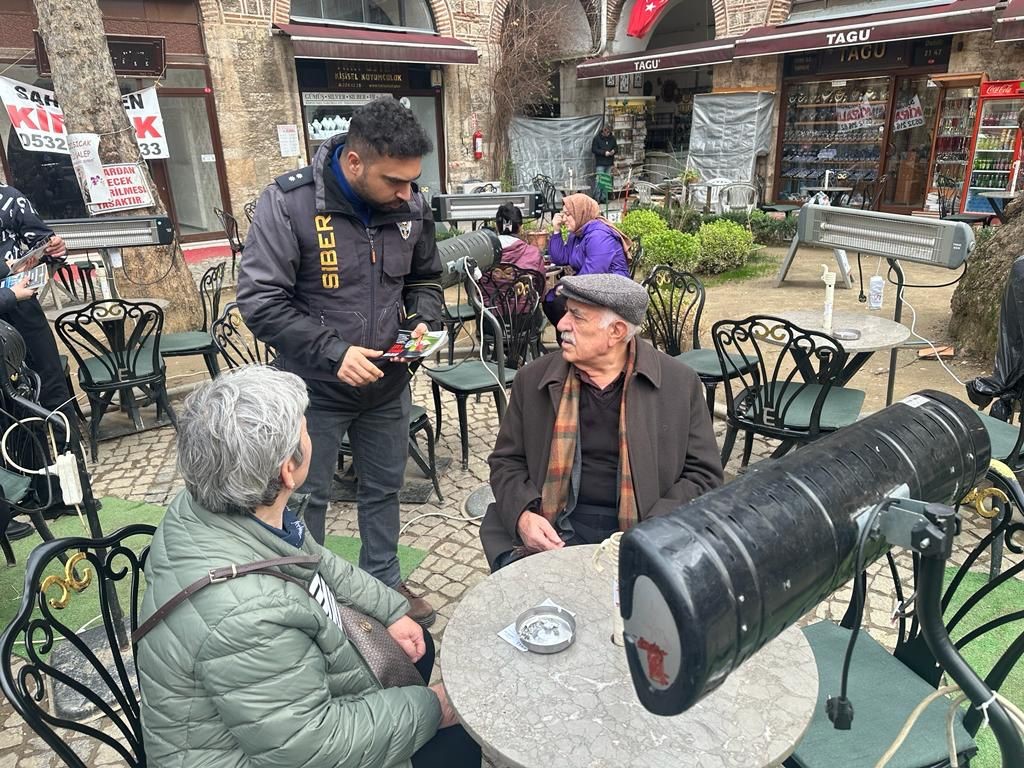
(950, 19)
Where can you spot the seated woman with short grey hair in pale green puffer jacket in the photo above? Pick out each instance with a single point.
(258, 670)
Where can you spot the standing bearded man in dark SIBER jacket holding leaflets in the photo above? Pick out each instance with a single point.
(339, 258)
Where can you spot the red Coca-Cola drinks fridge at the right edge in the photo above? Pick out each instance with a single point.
(997, 148)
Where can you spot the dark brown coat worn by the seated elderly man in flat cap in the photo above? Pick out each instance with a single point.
(673, 453)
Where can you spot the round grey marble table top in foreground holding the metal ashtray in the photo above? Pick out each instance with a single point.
(578, 708)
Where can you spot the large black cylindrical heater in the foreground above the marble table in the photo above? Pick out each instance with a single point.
(705, 588)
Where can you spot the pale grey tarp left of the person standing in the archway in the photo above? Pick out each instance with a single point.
(554, 147)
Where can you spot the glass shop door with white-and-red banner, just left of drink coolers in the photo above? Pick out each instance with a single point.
(910, 148)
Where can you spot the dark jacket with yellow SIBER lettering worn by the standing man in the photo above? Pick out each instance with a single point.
(315, 281)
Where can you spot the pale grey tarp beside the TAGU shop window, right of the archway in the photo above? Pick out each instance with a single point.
(731, 132)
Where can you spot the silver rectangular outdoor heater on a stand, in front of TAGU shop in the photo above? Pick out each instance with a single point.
(895, 238)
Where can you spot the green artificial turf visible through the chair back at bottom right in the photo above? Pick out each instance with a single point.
(984, 653)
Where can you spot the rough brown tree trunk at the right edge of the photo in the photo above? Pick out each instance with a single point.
(974, 322)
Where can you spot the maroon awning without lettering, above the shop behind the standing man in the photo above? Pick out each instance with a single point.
(375, 46)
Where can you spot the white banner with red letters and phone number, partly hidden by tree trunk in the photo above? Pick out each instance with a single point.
(38, 120)
